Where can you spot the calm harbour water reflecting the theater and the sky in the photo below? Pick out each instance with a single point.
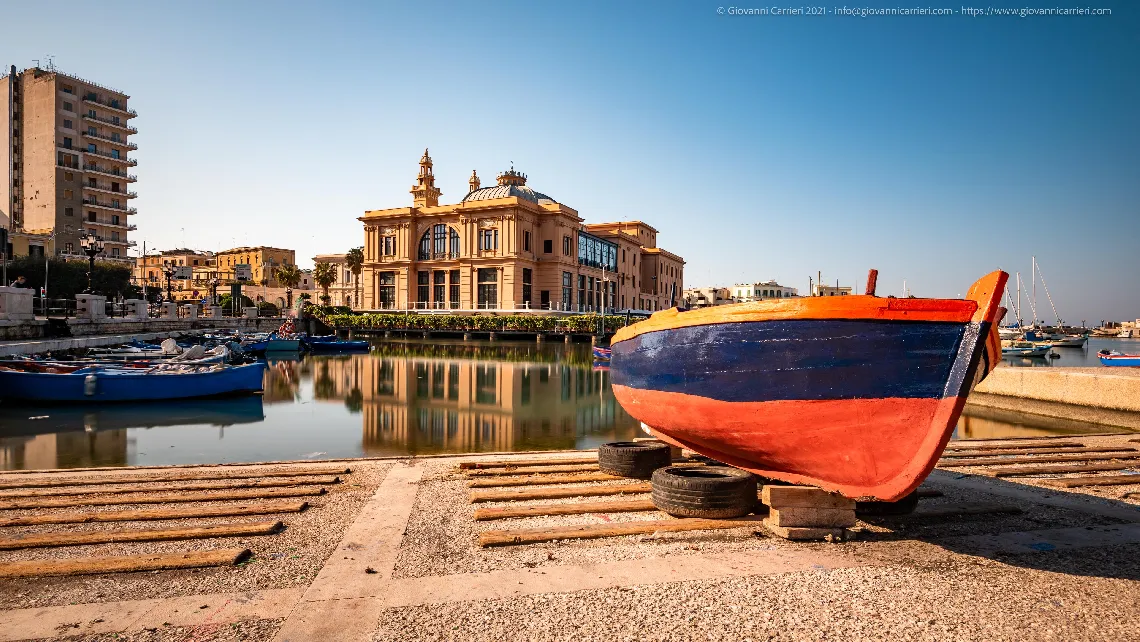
(402, 399)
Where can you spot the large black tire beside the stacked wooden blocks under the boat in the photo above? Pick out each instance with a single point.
(705, 492)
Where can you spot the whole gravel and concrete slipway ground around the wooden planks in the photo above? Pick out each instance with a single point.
(392, 551)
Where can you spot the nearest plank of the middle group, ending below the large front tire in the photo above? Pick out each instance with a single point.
(593, 532)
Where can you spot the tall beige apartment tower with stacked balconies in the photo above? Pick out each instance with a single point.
(67, 150)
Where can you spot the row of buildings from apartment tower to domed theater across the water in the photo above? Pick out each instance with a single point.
(68, 148)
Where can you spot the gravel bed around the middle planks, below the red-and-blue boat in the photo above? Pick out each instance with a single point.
(442, 538)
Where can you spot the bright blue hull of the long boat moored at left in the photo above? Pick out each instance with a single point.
(124, 386)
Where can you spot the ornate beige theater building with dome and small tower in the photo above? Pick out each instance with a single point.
(510, 248)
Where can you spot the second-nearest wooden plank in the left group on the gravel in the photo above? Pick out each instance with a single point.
(140, 535)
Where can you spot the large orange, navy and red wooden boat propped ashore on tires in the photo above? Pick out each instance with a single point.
(858, 395)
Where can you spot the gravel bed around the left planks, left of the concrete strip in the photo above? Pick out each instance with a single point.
(290, 558)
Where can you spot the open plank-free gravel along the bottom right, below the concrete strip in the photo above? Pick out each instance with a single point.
(951, 598)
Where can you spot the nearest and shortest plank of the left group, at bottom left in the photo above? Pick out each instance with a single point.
(88, 566)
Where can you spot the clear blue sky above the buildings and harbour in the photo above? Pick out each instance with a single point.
(934, 149)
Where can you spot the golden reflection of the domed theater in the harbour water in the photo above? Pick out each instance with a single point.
(429, 399)
